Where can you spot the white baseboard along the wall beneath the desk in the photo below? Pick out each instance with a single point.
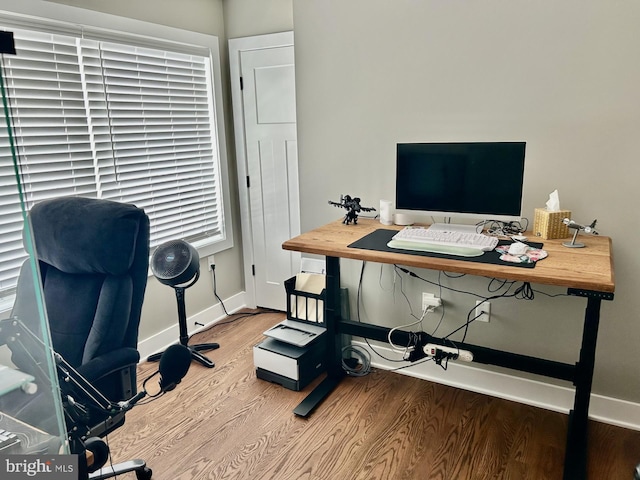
(510, 387)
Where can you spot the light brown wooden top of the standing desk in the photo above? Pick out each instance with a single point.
(588, 268)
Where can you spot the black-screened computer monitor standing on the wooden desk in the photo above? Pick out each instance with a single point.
(481, 180)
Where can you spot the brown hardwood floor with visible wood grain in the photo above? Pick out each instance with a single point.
(224, 423)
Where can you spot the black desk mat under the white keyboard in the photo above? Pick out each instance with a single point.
(378, 239)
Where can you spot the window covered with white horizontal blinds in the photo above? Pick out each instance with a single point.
(116, 120)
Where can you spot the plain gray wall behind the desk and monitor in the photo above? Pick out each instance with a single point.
(563, 76)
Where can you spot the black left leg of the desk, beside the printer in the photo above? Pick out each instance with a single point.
(333, 357)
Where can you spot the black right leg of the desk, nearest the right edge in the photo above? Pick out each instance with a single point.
(575, 462)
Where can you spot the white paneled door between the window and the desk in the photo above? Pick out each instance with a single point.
(269, 180)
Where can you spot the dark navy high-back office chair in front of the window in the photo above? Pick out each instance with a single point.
(93, 257)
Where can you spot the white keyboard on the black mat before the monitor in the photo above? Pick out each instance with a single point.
(425, 235)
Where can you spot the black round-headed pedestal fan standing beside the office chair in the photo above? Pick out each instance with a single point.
(177, 264)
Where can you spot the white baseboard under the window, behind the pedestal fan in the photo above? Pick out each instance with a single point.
(208, 317)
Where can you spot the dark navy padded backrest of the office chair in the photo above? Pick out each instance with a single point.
(93, 257)
